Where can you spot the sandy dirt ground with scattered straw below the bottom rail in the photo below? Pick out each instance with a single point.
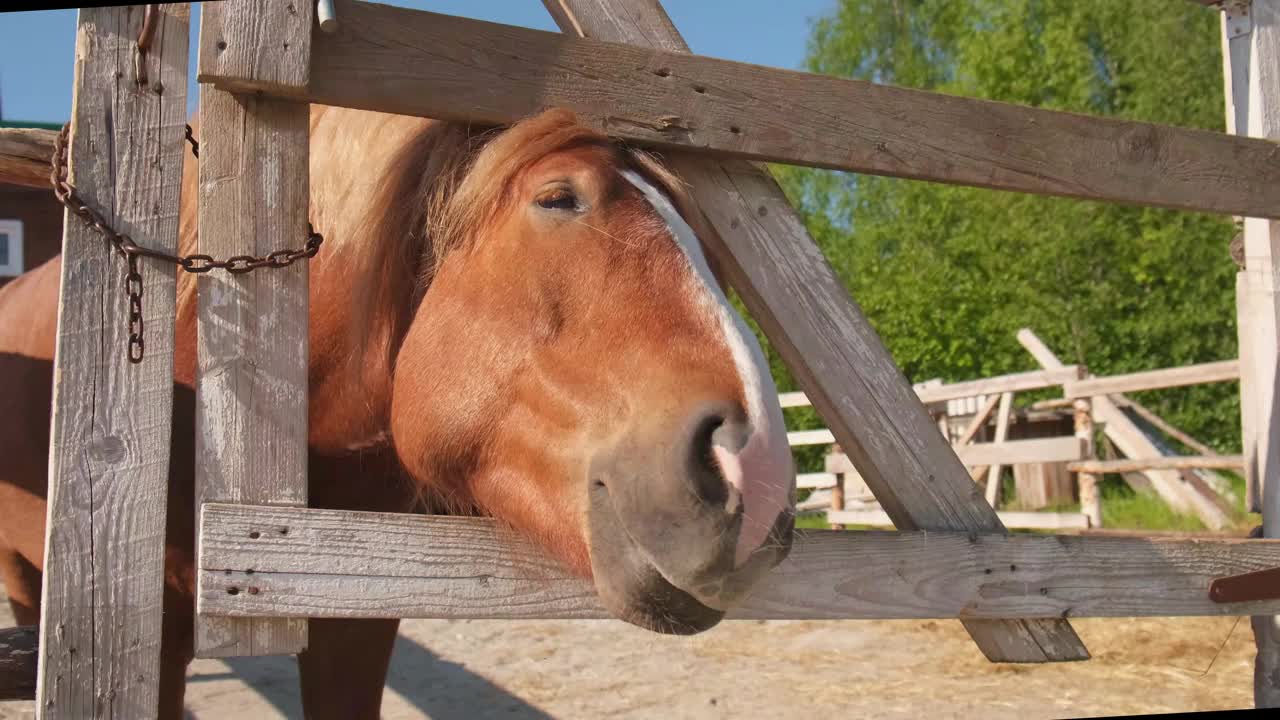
(458, 669)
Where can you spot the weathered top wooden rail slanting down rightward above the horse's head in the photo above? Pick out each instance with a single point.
(420, 63)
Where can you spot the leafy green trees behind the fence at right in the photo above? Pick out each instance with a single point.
(948, 275)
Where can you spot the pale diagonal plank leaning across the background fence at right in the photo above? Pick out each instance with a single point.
(1130, 440)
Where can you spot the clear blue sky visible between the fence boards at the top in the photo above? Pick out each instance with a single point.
(36, 48)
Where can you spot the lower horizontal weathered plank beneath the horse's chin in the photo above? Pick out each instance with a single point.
(346, 564)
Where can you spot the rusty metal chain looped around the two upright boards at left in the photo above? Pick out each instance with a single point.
(131, 252)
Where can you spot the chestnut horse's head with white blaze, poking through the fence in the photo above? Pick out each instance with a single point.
(574, 368)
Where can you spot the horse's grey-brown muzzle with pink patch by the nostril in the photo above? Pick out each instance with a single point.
(674, 539)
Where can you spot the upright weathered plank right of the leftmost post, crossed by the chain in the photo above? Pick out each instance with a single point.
(252, 400)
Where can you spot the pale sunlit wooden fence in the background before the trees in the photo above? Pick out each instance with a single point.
(1073, 453)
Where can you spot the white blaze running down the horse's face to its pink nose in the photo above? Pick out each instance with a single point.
(762, 471)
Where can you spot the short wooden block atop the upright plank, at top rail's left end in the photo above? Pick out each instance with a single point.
(267, 43)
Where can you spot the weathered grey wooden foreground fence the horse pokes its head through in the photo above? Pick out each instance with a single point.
(623, 66)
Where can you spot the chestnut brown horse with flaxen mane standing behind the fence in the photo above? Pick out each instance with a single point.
(520, 323)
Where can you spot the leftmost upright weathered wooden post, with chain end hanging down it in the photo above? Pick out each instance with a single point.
(109, 455)
